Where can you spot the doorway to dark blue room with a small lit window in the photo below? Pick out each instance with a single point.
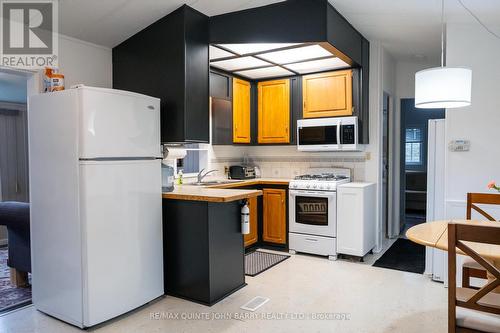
(413, 168)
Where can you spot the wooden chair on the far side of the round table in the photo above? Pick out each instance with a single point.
(470, 267)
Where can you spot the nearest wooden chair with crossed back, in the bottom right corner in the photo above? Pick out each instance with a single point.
(470, 309)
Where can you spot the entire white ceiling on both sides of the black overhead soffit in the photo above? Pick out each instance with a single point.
(409, 29)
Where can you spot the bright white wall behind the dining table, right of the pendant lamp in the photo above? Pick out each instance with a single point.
(472, 46)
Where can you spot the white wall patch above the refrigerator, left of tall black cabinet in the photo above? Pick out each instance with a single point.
(83, 62)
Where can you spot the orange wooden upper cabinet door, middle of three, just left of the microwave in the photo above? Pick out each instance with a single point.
(274, 111)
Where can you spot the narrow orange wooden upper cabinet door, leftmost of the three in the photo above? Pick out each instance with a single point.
(241, 111)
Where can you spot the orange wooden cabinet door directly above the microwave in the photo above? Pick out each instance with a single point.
(327, 94)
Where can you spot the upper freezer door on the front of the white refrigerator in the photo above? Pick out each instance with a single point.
(116, 124)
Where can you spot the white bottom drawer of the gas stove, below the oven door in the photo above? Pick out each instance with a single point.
(324, 246)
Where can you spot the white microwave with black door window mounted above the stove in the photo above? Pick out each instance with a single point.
(328, 134)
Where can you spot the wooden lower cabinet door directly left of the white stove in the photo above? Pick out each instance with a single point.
(274, 216)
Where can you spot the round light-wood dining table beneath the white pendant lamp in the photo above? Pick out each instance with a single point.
(435, 234)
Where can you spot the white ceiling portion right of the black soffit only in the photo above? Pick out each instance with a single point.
(411, 29)
